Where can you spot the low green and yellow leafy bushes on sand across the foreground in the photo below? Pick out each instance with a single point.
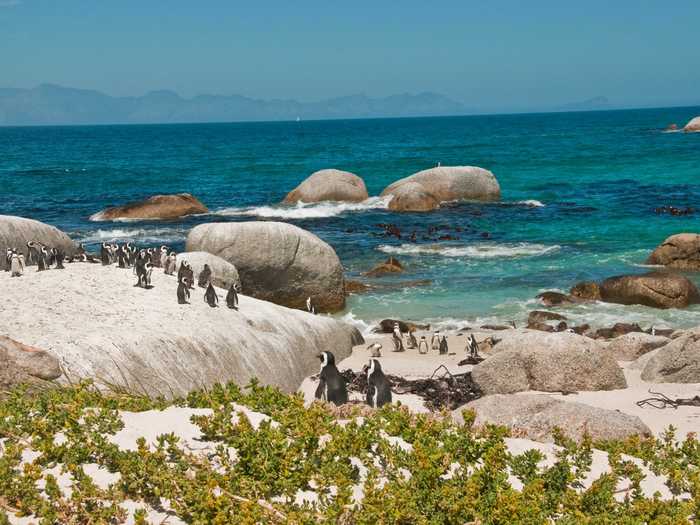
(388, 466)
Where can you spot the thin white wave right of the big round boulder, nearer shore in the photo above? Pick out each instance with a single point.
(475, 251)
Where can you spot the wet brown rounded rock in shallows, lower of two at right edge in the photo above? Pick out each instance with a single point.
(655, 289)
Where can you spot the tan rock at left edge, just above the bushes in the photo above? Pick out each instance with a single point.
(21, 364)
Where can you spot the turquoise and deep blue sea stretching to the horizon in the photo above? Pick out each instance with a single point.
(579, 192)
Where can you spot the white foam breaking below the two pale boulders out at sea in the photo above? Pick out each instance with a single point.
(301, 210)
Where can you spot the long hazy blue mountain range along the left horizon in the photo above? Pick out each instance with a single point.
(51, 104)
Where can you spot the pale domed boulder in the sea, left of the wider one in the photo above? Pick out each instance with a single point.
(329, 185)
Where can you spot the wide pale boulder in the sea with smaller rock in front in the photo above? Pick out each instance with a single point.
(451, 183)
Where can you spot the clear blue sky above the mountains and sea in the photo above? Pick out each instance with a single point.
(507, 54)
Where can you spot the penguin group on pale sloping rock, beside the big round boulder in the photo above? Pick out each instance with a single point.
(144, 260)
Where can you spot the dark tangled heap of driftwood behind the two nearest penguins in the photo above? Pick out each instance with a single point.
(442, 390)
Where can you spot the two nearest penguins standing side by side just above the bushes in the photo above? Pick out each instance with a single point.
(332, 387)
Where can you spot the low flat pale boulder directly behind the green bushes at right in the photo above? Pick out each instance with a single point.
(536, 416)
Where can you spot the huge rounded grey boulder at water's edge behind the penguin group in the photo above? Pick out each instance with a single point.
(276, 261)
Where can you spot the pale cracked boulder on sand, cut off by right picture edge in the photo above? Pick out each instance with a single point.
(677, 362)
